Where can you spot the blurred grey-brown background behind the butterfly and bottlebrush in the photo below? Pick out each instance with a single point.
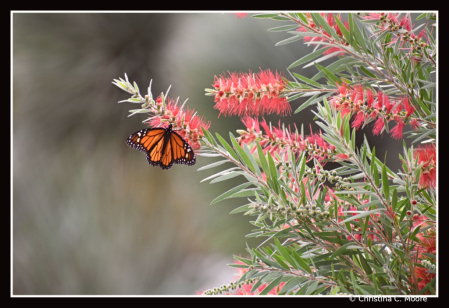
(90, 215)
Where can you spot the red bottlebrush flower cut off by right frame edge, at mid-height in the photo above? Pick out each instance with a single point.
(427, 159)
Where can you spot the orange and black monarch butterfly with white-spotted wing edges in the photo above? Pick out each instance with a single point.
(163, 147)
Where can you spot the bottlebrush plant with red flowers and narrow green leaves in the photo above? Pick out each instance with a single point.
(361, 228)
